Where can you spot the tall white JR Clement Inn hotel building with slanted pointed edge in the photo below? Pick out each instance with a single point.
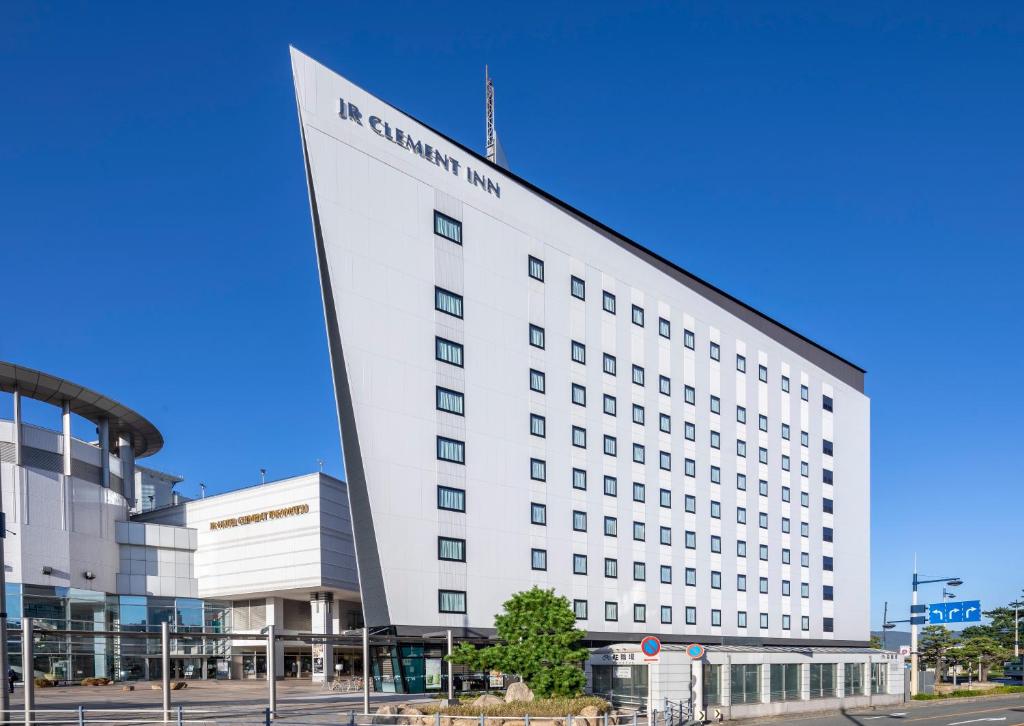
(528, 398)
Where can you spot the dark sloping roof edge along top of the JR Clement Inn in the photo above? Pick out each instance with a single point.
(822, 357)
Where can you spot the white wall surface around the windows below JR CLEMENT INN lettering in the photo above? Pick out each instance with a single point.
(374, 204)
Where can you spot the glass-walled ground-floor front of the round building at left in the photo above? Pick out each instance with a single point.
(69, 659)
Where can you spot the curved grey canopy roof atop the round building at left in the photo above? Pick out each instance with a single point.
(84, 402)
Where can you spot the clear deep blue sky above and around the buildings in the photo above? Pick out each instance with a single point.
(857, 173)
